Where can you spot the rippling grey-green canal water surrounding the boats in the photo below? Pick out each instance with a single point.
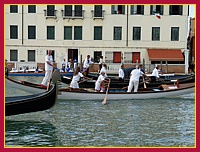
(124, 123)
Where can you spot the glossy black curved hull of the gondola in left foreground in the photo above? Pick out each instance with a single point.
(30, 103)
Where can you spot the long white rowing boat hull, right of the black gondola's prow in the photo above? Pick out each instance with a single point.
(120, 94)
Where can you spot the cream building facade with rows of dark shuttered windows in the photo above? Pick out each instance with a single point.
(129, 34)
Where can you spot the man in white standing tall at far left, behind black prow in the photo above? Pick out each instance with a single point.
(48, 68)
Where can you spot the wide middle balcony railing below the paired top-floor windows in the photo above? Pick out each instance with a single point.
(74, 14)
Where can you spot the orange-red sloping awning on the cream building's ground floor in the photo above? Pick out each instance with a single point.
(165, 55)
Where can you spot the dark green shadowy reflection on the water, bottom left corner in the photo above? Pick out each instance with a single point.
(30, 133)
